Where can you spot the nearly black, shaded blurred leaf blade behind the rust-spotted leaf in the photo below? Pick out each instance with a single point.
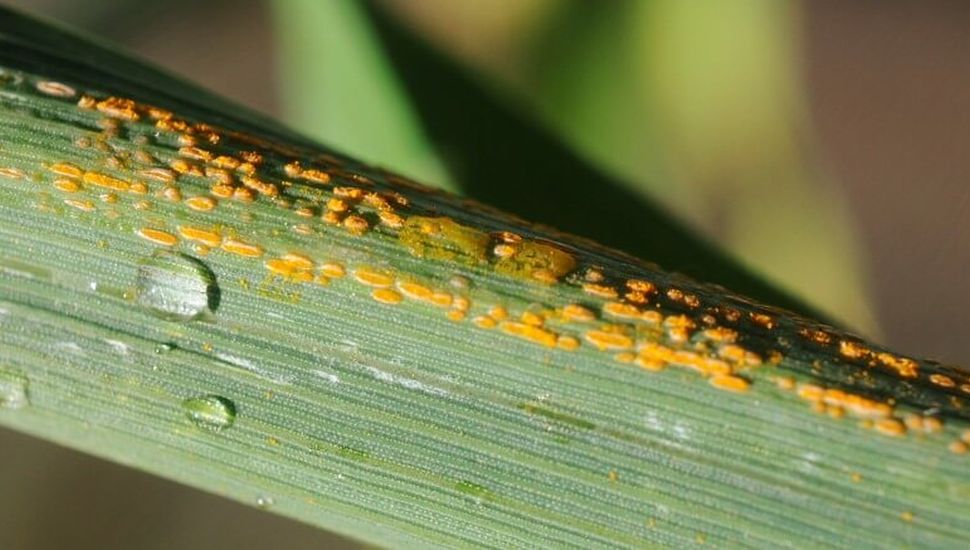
(501, 158)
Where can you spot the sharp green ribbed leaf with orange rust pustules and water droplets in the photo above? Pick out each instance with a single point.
(275, 322)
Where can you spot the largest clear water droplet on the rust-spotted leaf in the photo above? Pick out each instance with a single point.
(176, 287)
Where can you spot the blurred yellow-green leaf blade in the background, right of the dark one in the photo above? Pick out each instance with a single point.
(726, 84)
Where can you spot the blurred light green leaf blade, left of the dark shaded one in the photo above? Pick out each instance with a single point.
(338, 87)
